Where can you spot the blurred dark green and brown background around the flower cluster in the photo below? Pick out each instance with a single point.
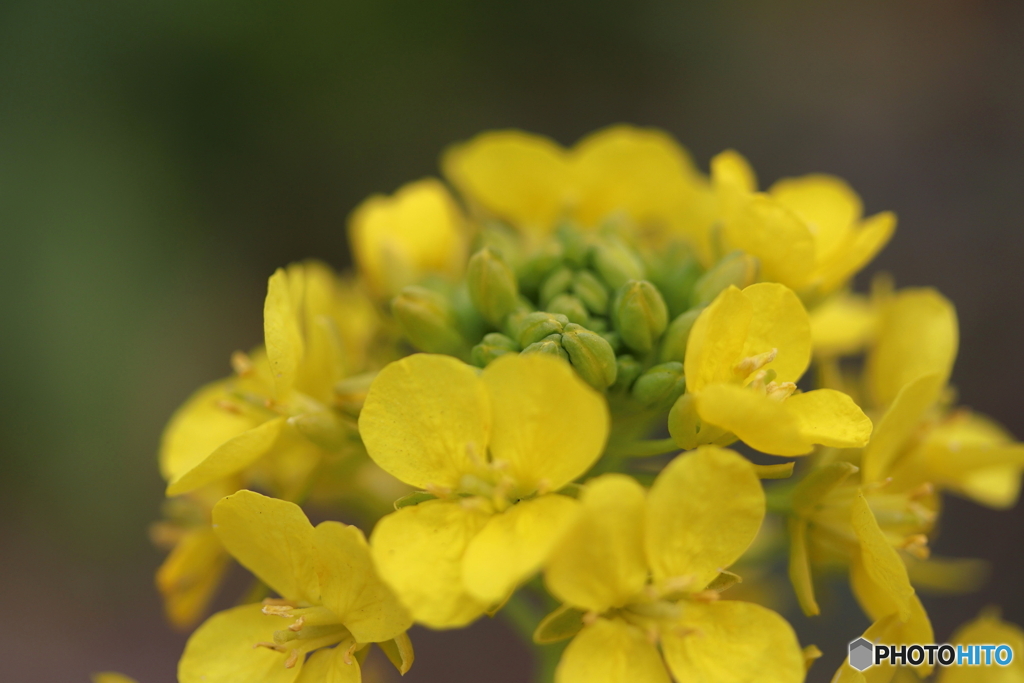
(158, 160)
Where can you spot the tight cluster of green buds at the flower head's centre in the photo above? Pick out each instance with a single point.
(619, 314)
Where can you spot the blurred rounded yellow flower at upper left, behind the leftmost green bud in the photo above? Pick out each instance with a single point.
(398, 241)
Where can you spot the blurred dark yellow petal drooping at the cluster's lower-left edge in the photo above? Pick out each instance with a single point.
(191, 575)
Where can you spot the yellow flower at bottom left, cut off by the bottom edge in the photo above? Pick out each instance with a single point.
(331, 597)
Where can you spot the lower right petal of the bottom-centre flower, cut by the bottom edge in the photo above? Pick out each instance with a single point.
(733, 643)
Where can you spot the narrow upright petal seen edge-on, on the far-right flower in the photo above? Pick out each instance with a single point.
(900, 423)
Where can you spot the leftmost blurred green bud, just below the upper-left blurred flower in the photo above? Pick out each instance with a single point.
(428, 322)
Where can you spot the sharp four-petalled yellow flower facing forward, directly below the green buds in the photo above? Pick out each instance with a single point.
(493, 446)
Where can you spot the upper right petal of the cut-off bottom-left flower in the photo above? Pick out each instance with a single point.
(351, 587)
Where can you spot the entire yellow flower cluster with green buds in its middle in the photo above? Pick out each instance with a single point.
(525, 395)
